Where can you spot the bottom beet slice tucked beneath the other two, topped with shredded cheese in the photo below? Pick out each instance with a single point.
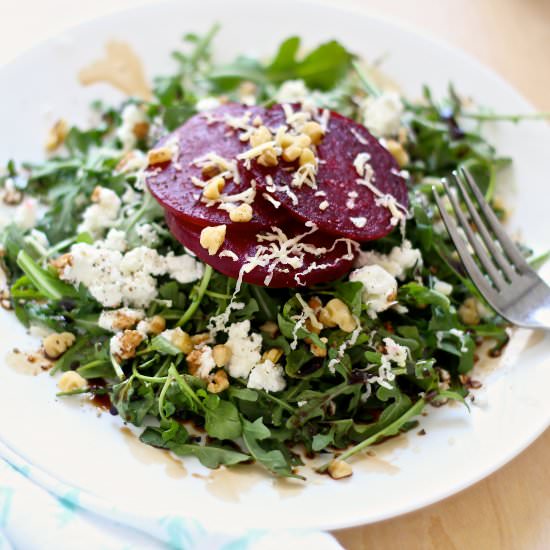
(322, 257)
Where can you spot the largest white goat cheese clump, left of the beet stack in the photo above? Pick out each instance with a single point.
(114, 278)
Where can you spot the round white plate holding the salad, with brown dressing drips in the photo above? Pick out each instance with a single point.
(70, 442)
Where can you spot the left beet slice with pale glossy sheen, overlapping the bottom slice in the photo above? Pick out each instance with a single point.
(171, 183)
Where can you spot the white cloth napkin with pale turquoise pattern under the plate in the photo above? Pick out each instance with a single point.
(39, 512)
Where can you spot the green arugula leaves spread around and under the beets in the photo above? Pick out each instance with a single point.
(341, 395)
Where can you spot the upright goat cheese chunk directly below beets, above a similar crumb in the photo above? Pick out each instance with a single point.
(245, 349)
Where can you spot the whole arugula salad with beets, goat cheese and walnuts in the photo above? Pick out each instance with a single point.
(250, 266)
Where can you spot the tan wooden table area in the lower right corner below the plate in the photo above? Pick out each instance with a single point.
(510, 510)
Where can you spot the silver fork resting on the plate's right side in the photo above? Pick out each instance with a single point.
(503, 277)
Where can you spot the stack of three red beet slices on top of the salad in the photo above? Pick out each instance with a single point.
(298, 235)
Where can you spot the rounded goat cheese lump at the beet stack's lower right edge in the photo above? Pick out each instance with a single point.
(380, 288)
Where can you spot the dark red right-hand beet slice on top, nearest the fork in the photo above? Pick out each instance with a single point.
(337, 204)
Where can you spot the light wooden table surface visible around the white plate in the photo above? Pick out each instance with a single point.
(511, 508)
